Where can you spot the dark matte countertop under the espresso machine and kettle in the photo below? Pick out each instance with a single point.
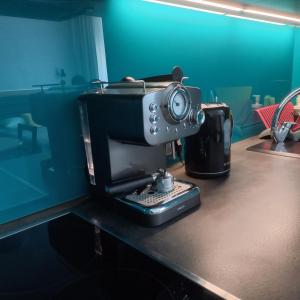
(245, 238)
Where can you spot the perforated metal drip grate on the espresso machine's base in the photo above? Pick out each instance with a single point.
(149, 197)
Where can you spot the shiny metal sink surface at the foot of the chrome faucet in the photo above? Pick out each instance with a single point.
(289, 148)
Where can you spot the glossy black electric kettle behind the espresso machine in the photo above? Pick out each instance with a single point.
(207, 154)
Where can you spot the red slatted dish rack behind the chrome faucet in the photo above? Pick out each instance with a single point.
(266, 114)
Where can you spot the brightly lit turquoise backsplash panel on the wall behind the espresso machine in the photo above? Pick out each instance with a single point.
(214, 51)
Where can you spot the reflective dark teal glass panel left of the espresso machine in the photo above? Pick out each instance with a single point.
(45, 66)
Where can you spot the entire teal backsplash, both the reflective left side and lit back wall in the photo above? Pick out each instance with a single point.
(141, 39)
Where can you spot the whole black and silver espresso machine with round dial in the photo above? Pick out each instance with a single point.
(126, 127)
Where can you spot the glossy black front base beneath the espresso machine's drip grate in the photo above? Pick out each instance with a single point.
(160, 214)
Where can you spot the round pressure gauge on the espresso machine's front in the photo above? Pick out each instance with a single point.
(179, 104)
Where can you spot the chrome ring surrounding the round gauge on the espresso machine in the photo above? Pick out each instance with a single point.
(174, 117)
